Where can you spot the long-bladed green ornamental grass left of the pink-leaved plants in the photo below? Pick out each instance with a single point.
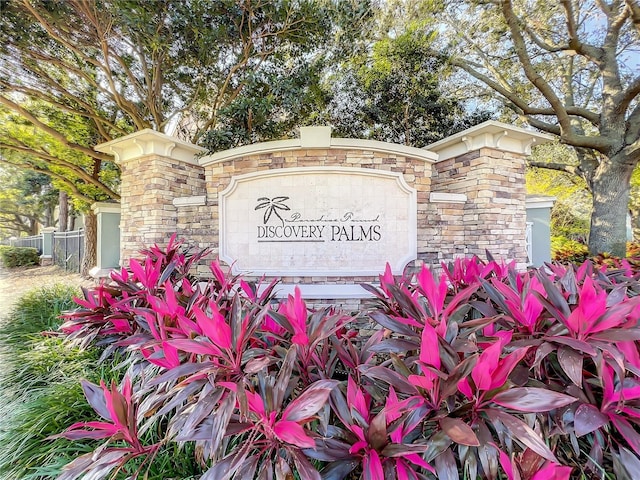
(39, 379)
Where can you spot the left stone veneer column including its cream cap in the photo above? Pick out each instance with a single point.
(156, 169)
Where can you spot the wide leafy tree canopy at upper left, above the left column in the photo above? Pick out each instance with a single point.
(76, 73)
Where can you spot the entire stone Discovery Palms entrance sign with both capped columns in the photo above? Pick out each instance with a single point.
(327, 213)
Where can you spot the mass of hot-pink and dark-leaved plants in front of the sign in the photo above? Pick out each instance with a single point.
(486, 372)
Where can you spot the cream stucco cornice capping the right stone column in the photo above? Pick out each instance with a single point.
(490, 134)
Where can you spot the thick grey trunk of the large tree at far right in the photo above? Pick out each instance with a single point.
(610, 188)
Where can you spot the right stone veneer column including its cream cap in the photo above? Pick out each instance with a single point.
(478, 192)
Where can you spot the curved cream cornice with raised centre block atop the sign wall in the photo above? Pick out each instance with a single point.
(318, 138)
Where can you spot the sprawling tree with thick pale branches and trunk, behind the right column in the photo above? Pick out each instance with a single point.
(569, 68)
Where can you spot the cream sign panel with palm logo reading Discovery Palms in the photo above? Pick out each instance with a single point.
(318, 221)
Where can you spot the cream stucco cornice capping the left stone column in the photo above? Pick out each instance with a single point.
(150, 142)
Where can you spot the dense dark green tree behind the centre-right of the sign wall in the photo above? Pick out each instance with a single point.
(395, 89)
